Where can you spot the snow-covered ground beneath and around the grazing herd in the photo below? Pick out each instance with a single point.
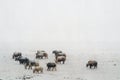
(73, 69)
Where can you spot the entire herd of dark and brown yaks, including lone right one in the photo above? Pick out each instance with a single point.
(60, 57)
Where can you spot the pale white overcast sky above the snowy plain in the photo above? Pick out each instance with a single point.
(80, 23)
